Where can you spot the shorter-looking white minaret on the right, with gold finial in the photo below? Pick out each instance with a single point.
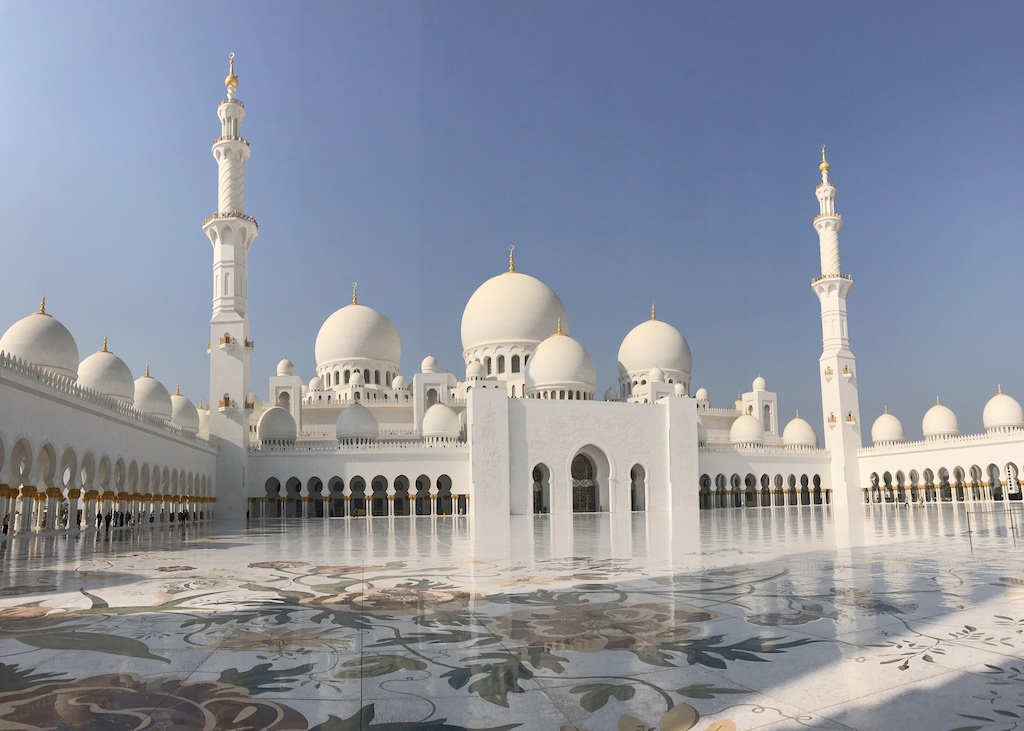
(840, 405)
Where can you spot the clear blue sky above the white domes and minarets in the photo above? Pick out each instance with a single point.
(630, 151)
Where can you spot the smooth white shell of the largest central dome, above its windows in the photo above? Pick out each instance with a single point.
(511, 309)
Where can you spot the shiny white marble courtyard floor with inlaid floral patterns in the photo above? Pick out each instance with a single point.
(774, 619)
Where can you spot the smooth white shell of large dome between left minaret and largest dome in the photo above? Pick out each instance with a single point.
(358, 332)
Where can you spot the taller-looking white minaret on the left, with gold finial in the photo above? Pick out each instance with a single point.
(232, 233)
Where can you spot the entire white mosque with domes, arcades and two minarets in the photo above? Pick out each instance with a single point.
(525, 433)
